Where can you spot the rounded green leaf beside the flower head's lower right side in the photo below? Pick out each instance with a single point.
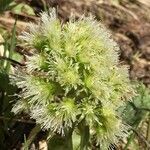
(136, 109)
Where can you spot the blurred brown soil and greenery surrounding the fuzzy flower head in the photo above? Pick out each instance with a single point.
(129, 23)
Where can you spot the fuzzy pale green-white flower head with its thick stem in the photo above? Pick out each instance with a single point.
(73, 82)
